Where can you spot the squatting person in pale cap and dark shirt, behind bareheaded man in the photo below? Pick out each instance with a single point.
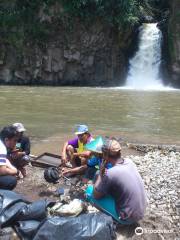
(19, 156)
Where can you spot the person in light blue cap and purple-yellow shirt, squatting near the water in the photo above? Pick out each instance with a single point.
(74, 151)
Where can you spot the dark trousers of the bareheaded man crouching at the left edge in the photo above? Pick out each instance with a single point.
(8, 182)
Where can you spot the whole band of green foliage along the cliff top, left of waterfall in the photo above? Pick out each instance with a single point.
(22, 19)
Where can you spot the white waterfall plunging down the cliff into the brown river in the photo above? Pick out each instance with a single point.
(144, 66)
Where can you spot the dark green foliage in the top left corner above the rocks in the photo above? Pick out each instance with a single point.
(19, 21)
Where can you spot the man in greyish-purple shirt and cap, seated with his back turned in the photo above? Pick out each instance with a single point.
(119, 191)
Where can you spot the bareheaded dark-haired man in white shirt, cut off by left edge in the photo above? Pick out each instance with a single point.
(8, 139)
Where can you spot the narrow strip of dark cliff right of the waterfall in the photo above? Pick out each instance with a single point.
(174, 41)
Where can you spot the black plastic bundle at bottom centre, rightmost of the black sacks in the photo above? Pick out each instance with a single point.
(95, 226)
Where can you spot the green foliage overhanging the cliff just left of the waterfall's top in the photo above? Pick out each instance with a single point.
(116, 12)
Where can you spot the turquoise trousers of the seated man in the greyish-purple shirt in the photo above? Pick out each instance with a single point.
(106, 204)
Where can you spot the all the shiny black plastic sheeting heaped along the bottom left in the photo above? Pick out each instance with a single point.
(30, 221)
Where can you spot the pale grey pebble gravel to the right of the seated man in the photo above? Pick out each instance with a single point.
(160, 171)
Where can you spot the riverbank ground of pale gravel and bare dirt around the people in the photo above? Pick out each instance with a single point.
(160, 172)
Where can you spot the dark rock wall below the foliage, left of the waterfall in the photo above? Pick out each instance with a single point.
(87, 56)
